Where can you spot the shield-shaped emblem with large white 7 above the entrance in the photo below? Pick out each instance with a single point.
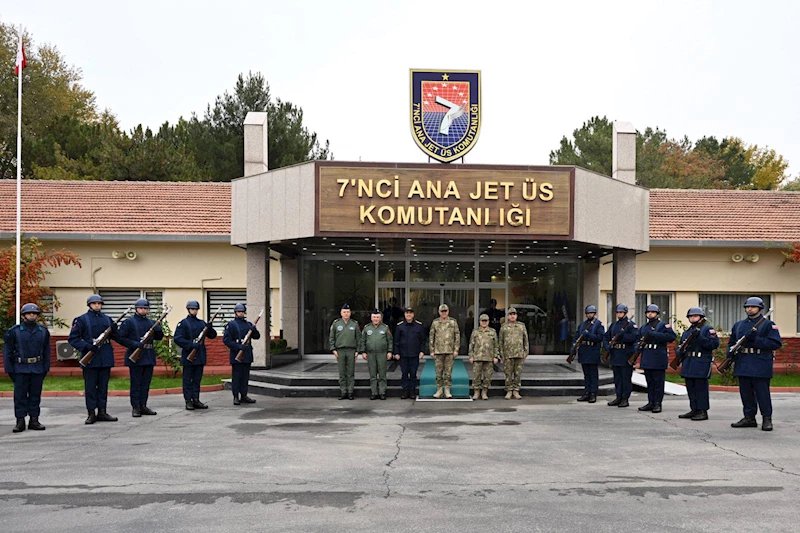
(445, 112)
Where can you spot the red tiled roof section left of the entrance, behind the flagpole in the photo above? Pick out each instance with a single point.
(118, 208)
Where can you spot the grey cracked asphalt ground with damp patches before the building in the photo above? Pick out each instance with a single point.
(306, 465)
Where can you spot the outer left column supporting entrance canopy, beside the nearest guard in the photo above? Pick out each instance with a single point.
(258, 298)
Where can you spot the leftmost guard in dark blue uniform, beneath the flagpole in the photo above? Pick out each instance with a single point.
(26, 359)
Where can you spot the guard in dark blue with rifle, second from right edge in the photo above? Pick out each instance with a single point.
(696, 362)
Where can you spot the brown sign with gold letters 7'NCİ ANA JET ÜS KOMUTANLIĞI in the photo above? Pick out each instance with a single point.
(444, 201)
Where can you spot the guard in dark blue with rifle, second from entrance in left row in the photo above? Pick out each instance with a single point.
(187, 332)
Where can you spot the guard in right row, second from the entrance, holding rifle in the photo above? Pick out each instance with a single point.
(623, 335)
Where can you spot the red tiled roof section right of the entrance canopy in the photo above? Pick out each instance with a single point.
(724, 215)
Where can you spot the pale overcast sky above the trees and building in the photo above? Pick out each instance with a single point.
(695, 68)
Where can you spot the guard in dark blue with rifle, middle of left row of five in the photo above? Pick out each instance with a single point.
(130, 334)
